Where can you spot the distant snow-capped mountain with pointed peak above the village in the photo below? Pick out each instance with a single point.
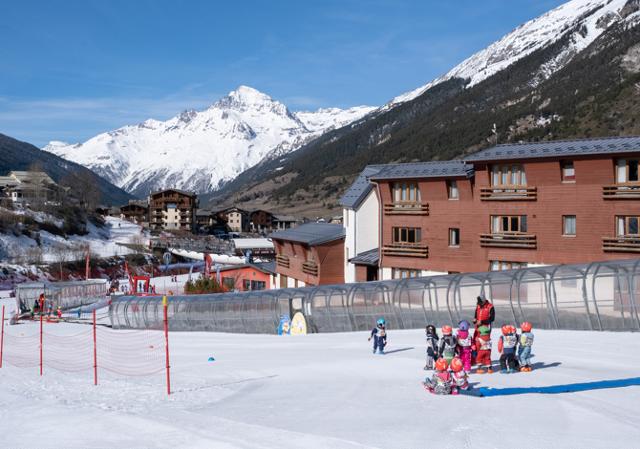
(200, 150)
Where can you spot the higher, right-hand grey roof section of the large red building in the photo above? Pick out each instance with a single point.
(558, 148)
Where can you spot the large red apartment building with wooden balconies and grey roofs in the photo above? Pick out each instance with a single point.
(510, 206)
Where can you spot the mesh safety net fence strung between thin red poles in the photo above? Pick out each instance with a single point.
(94, 348)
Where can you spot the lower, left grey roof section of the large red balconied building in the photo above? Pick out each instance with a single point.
(431, 169)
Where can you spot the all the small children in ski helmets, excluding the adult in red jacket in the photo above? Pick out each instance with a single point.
(451, 356)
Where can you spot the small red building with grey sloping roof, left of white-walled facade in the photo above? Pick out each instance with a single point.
(309, 254)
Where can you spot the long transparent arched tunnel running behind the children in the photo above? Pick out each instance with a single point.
(595, 296)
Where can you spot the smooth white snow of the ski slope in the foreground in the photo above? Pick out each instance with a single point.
(326, 391)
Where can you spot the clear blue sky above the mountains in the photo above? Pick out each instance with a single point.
(72, 69)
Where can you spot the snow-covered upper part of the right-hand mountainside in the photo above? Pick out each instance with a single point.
(582, 20)
